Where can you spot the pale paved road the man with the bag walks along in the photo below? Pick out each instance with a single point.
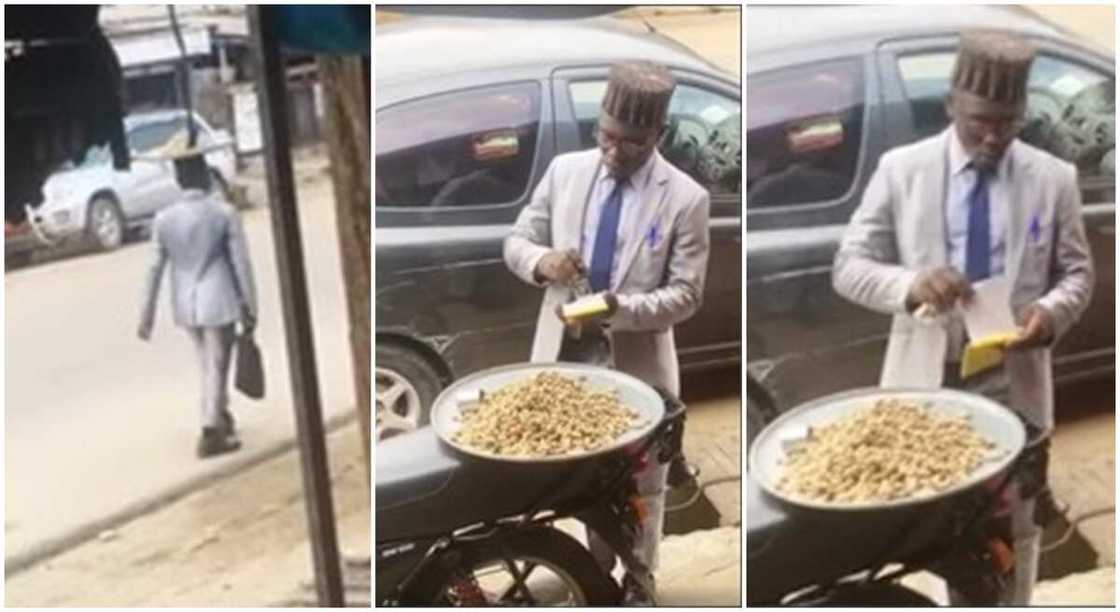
(98, 421)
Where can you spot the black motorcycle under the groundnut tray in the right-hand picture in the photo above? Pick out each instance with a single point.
(799, 555)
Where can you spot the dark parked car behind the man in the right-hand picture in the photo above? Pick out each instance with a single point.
(824, 105)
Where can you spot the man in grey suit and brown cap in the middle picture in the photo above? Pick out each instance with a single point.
(630, 226)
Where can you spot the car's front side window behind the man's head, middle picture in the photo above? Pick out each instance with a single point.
(703, 138)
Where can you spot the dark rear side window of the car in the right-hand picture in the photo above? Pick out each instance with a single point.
(805, 133)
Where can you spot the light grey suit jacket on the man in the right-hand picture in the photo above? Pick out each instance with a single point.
(900, 229)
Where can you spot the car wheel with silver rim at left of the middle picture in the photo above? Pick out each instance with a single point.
(406, 385)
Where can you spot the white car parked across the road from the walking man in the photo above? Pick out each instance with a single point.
(95, 201)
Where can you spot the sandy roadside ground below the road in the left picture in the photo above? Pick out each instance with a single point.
(241, 542)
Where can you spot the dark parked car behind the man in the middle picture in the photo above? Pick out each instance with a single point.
(463, 137)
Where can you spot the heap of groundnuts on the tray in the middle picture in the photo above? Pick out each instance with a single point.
(547, 415)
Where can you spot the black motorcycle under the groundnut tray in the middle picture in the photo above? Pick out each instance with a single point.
(456, 530)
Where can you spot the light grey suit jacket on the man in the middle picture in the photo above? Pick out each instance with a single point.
(658, 285)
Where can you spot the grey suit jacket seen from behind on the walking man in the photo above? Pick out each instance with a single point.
(212, 277)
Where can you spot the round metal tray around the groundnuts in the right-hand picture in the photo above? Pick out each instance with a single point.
(990, 419)
